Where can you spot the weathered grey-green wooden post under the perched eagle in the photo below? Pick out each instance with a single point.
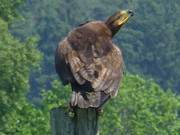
(84, 122)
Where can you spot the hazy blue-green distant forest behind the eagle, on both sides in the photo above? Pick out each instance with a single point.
(150, 41)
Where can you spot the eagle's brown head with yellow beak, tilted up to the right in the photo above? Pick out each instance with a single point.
(118, 19)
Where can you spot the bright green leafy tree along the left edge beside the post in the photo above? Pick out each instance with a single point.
(17, 115)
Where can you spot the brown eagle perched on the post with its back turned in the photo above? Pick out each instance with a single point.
(90, 62)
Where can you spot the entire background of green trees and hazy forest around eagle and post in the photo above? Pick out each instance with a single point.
(148, 102)
